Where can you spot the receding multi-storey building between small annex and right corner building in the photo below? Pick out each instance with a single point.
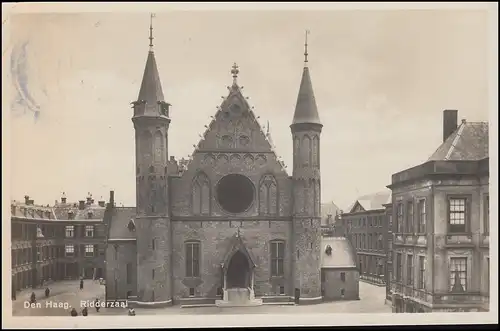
(365, 224)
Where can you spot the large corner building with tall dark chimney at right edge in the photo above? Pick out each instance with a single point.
(441, 225)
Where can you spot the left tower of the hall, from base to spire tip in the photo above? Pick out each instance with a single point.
(151, 122)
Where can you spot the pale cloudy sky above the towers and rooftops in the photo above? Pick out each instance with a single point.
(381, 81)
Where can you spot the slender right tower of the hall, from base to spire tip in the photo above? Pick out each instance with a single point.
(306, 130)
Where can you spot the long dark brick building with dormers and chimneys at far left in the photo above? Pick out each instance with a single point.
(50, 243)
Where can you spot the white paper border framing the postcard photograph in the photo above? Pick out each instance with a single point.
(267, 319)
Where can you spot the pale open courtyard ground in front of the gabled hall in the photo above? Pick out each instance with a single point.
(372, 301)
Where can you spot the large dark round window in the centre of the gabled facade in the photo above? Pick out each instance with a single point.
(235, 193)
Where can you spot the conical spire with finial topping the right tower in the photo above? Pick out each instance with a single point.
(306, 110)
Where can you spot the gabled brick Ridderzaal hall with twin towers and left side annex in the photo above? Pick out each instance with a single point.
(232, 218)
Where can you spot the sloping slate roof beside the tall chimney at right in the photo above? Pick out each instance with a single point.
(469, 142)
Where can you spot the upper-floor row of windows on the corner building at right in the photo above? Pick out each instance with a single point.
(409, 221)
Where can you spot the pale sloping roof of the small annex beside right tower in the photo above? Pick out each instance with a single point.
(343, 255)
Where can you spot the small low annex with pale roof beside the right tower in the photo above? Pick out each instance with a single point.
(339, 273)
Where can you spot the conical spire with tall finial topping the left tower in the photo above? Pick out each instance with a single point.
(151, 90)
